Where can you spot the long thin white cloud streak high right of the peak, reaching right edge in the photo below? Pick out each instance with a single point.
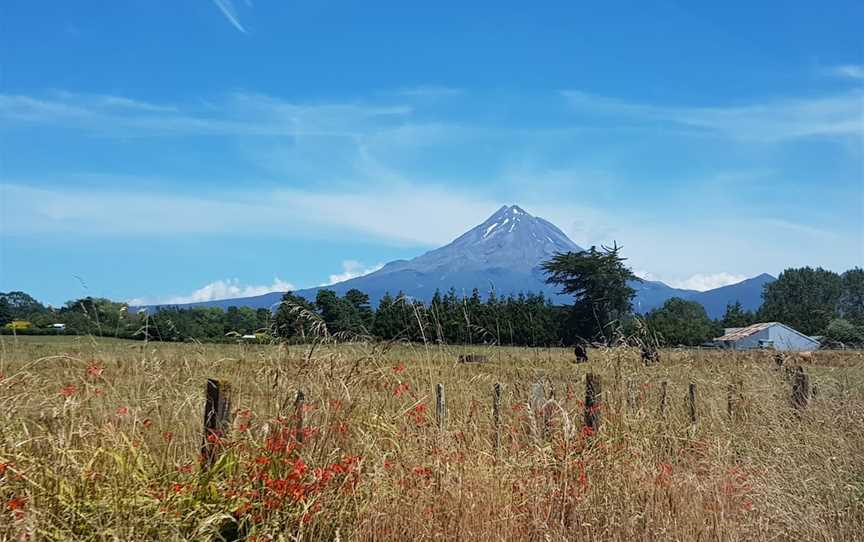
(840, 115)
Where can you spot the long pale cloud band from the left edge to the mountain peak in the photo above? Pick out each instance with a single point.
(414, 213)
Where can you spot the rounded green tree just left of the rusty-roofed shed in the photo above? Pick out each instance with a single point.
(682, 322)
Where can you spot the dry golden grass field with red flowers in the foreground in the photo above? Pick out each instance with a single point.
(100, 440)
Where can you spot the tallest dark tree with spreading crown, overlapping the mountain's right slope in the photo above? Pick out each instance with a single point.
(598, 281)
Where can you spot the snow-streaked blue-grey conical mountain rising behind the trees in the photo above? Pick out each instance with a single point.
(503, 253)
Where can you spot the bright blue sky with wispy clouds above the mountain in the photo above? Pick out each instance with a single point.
(212, 148)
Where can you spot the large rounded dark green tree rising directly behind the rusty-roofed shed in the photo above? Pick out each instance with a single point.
(805, 299)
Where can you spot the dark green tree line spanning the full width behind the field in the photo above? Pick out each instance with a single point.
(813, 301)
